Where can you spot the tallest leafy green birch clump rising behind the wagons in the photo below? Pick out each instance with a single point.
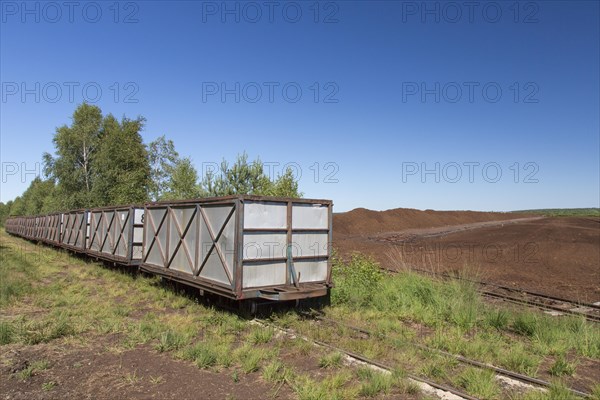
(98, 161)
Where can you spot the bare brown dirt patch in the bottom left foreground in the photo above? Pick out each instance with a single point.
(98, 371)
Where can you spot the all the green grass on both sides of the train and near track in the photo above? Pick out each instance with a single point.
(85, 299)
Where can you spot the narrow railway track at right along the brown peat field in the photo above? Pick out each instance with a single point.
(589, 311)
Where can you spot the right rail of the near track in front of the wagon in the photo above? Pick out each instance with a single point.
(464, 360)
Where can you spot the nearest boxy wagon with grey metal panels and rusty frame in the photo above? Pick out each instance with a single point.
(242, 247)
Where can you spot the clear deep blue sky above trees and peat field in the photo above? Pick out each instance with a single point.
(380, 105)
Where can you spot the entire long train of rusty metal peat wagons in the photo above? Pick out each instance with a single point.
(242, 248)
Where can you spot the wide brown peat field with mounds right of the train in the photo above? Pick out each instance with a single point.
(556, 256)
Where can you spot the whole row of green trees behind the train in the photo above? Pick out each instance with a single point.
(100, 160)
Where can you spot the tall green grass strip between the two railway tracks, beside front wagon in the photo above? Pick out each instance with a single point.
(455, 309)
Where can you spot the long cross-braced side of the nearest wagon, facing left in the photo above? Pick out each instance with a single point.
(193, 242)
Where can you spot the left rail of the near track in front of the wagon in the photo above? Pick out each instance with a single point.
(374, 363)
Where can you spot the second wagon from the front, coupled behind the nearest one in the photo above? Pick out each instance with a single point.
(116, 234)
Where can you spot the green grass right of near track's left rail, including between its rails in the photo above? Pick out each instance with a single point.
(455, 319)
